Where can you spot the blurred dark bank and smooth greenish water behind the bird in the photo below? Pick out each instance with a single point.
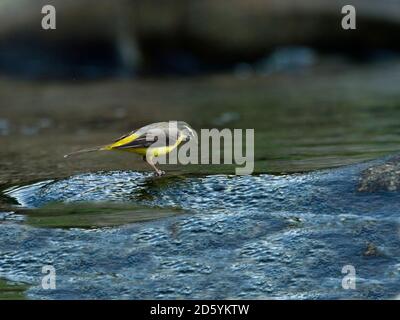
(318, 96)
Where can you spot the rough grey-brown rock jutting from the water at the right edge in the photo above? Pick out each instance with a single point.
(383, 177)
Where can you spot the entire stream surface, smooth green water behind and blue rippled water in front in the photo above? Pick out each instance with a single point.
(199, 232)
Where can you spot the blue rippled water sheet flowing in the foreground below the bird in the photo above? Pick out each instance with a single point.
(257, 236)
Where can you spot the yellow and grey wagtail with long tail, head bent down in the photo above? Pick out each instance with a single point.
(150, 141)
